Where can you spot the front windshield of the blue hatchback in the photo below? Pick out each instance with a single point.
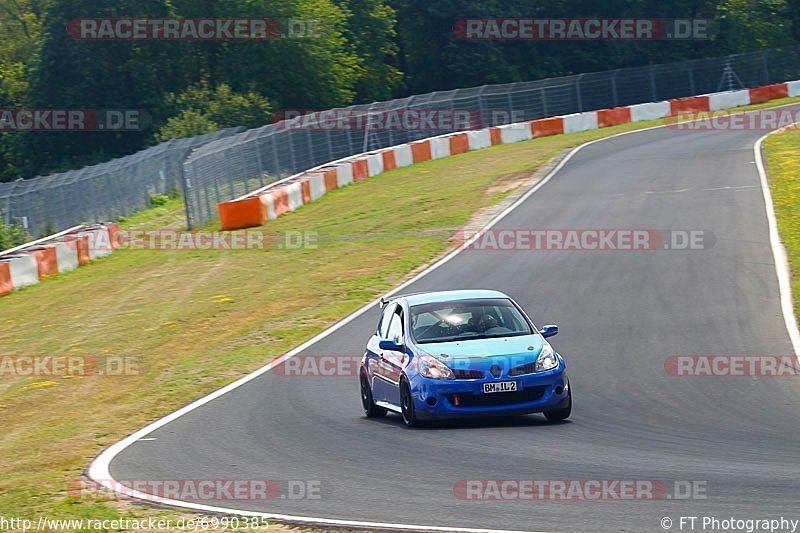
(466, 320)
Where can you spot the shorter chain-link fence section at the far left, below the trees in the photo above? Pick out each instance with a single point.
(99, 193)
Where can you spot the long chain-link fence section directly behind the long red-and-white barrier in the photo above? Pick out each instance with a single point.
(231, 167)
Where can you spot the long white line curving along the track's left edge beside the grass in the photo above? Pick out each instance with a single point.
(99, 470)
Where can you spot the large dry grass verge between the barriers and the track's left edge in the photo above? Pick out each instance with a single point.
(196, 320)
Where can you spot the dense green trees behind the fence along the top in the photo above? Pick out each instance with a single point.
(360, 51)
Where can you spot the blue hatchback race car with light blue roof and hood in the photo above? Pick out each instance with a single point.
(446, 354)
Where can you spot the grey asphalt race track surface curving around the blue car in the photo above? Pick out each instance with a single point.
(621, 314)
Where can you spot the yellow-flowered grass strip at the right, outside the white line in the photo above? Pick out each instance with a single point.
(782, 151)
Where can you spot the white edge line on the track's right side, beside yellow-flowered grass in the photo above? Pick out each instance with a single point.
(782, 268)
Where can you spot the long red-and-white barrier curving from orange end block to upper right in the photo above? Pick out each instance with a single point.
(289, 195)
